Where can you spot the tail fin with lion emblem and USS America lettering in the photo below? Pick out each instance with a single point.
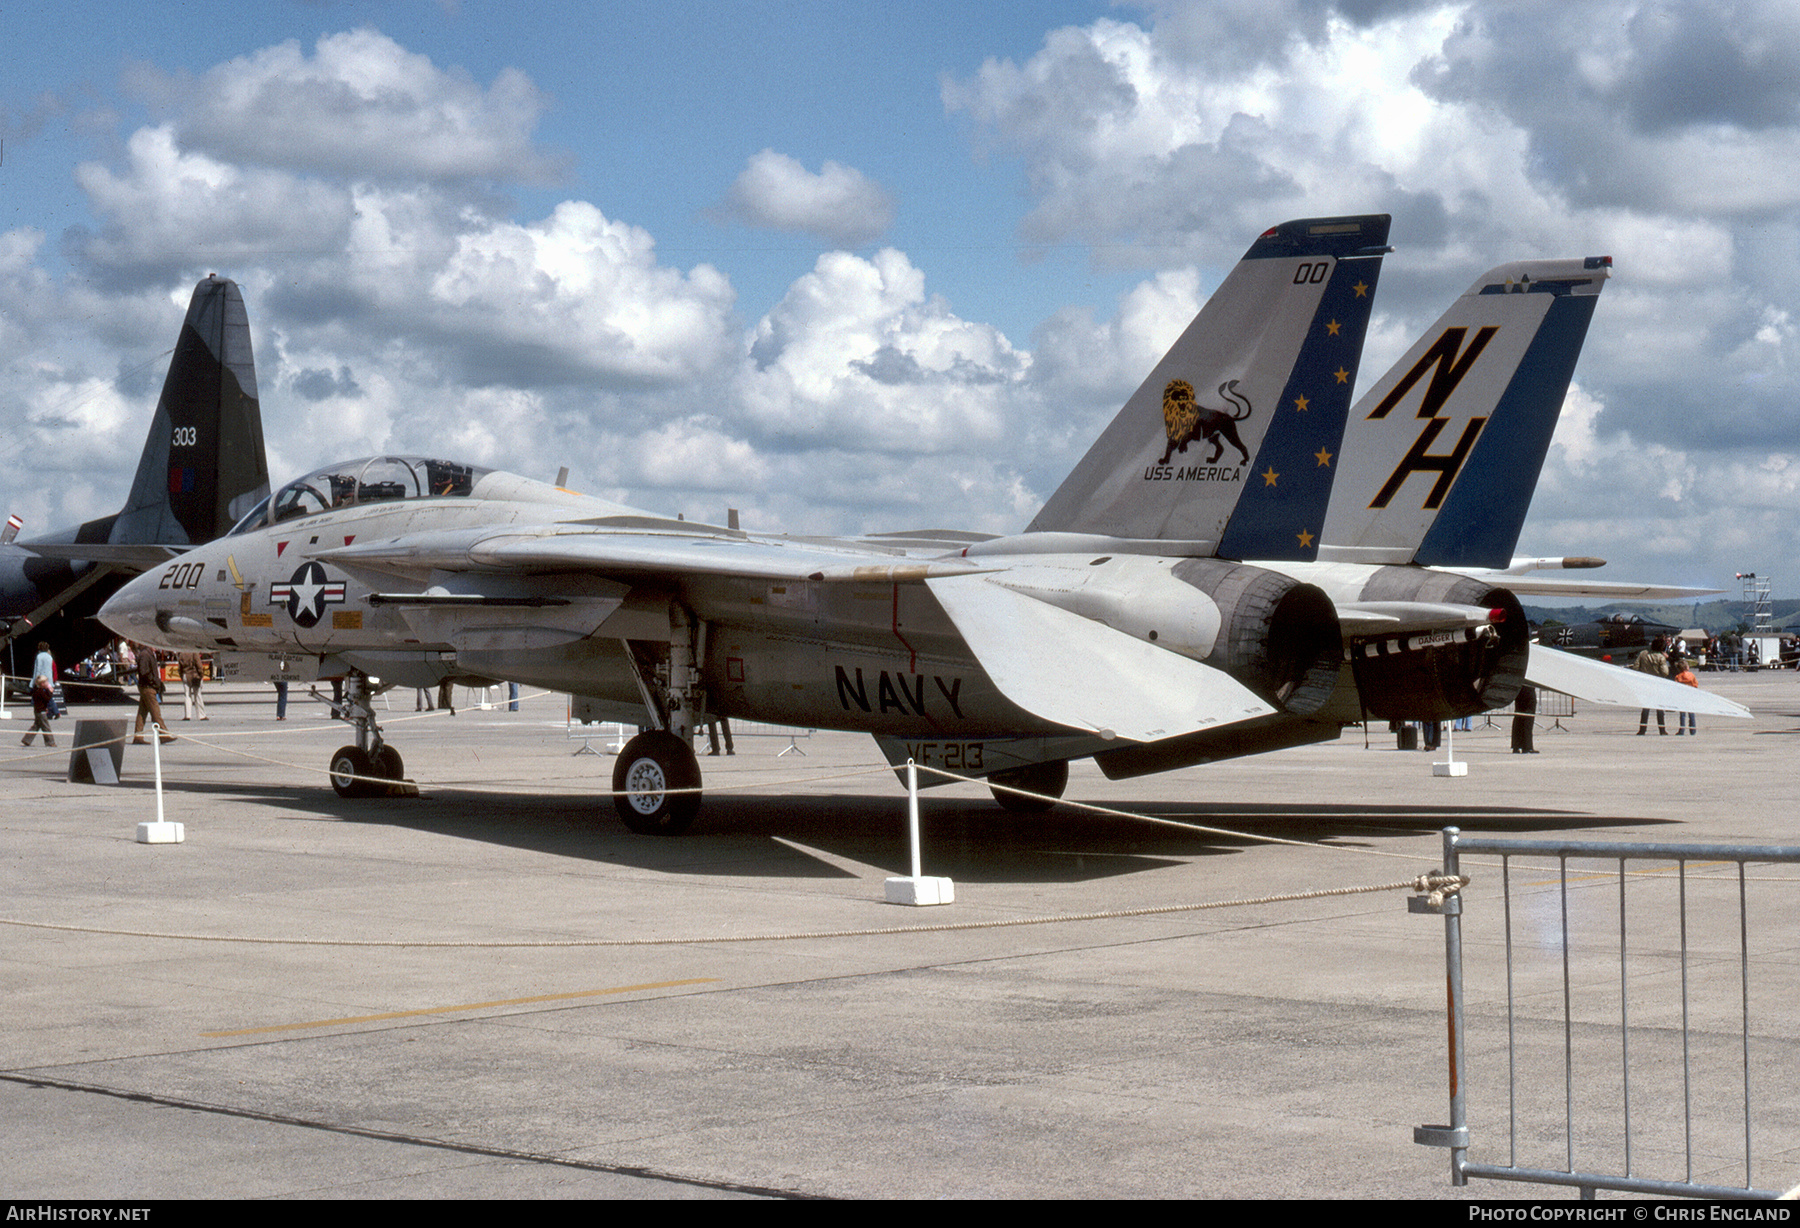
(1219, 447)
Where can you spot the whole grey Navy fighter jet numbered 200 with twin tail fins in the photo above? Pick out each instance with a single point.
(1119, 626)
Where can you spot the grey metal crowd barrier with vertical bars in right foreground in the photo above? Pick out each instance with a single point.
(1682, 1049)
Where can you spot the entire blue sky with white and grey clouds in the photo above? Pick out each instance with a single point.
(852, 267)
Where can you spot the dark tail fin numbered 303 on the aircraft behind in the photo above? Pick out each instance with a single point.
(202, 465)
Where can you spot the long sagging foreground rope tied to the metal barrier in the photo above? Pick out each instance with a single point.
(1423, 883)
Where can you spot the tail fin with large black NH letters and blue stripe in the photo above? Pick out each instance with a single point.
(1444, 451)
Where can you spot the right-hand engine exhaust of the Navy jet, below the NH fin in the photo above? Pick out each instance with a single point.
(1446, 674)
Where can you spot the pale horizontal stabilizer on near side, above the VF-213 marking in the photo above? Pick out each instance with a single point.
(1086, 676)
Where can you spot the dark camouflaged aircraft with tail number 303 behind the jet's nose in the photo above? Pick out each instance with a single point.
(202, 467)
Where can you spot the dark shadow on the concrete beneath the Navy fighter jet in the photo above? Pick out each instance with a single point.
(966, 838)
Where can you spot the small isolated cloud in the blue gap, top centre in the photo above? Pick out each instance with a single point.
(838, 206)
